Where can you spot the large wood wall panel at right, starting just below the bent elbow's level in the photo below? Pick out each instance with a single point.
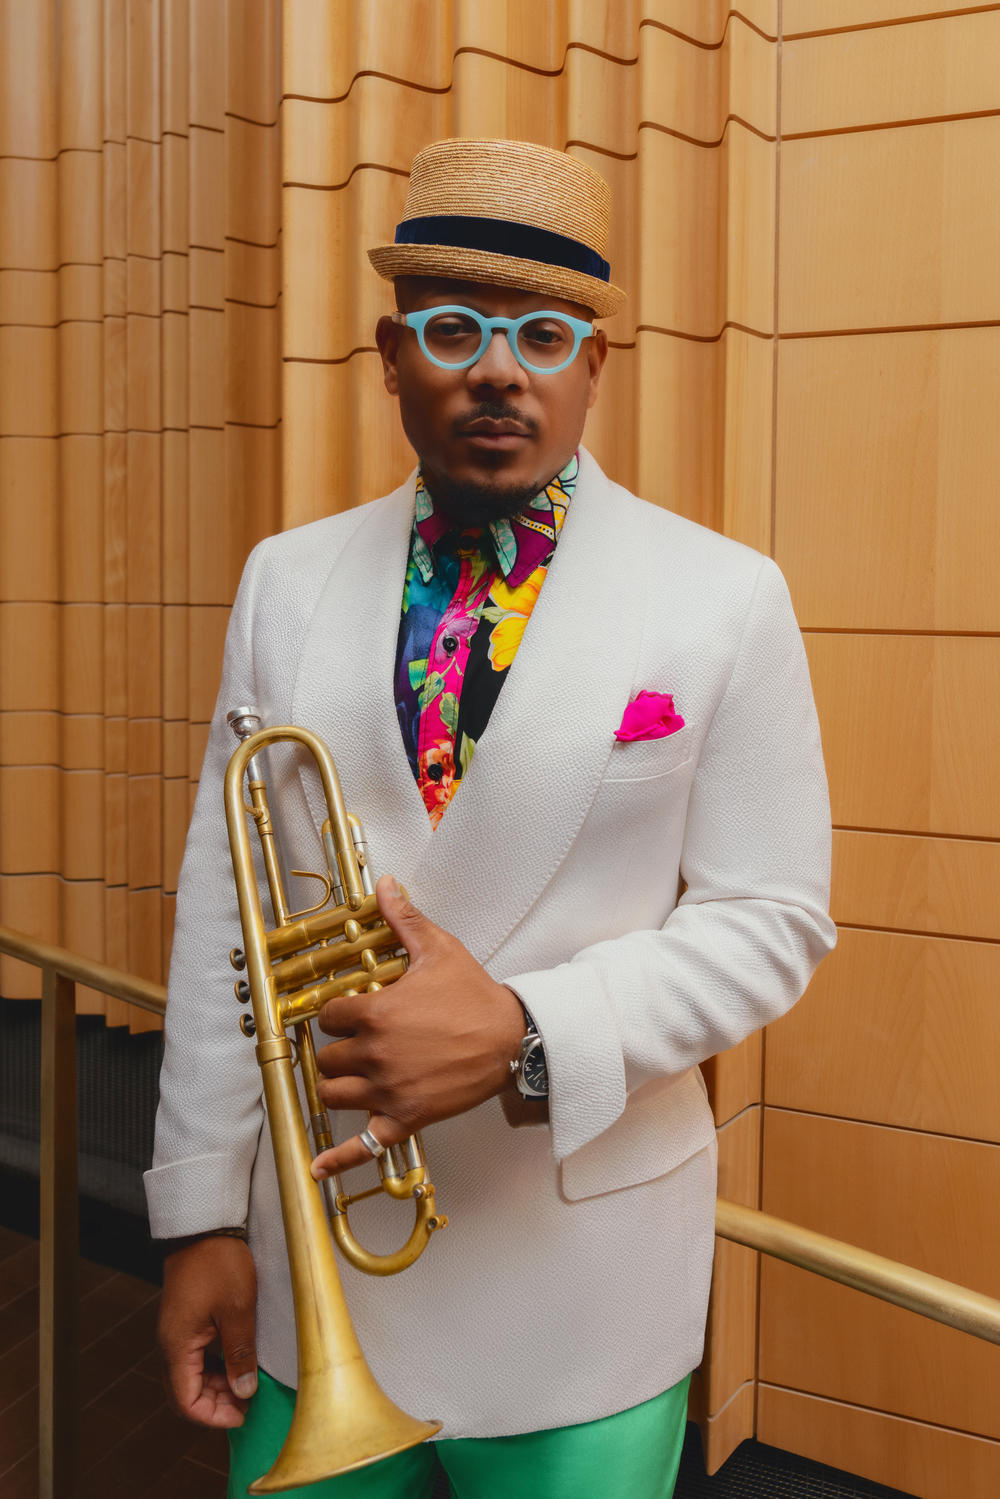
(899, 1031)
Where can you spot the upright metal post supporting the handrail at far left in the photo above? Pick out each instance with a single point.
(59, 1242)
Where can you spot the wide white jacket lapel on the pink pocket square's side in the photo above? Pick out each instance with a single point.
(540, 762)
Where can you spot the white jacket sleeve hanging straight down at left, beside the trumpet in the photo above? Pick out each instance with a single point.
(211, 1113)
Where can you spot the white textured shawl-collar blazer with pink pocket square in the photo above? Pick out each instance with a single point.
(651, 903)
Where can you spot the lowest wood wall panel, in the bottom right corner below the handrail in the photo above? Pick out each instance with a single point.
(923, 1459)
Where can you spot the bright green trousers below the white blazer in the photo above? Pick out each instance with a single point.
(633, 1455)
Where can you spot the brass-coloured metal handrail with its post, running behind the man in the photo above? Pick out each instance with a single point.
(59, 1239)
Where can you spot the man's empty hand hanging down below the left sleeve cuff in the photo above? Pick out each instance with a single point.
(211, 1293)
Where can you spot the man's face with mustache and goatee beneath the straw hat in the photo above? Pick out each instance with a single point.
(493, 435)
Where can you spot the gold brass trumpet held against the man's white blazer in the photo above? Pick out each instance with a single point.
(343, 945)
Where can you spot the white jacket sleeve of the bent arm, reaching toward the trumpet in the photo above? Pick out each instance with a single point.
(753, 923)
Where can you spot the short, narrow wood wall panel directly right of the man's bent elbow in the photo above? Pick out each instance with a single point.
(917, 885)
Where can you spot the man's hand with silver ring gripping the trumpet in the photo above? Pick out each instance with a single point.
(431, 1046)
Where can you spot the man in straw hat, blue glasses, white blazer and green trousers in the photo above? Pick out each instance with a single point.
(633, 879)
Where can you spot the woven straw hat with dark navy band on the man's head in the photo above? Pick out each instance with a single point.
(509, 214)
